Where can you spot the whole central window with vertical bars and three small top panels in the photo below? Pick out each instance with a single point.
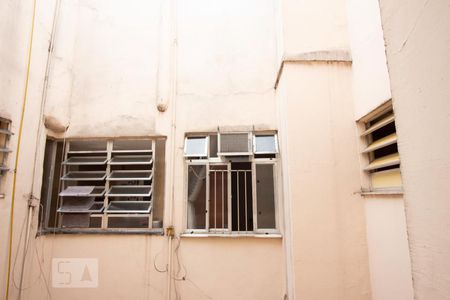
(233, 194)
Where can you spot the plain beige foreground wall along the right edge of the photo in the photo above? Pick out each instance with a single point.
(417, 44)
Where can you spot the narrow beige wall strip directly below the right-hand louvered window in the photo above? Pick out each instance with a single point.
(390, 264)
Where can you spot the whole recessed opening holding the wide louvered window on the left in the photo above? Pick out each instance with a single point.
(103, 184)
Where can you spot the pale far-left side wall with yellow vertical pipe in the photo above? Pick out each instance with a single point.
(15, 28)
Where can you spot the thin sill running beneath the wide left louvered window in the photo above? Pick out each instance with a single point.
(49, 231)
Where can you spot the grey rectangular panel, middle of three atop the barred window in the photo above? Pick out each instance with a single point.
(235, 144)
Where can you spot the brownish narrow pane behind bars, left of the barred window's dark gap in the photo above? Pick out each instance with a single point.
(218, 195)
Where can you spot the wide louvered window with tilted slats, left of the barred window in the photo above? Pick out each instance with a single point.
(104, 184)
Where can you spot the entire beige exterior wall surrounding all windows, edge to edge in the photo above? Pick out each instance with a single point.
(208, 64)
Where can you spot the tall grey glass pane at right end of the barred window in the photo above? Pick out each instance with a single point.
(265, 195)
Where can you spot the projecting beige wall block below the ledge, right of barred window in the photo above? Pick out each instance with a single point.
(329, 257)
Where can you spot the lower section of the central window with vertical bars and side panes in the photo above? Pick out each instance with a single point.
(229, 198)
